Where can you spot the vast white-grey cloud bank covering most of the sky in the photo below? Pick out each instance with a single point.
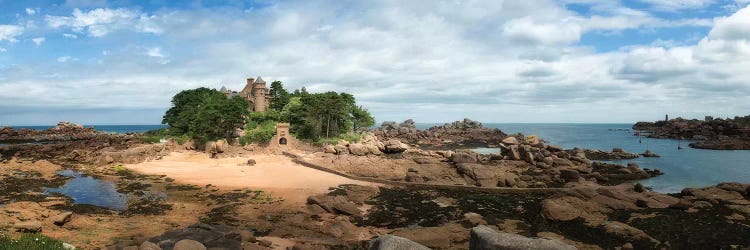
(497, 60)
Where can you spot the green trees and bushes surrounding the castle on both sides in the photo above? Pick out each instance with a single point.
(205, 114)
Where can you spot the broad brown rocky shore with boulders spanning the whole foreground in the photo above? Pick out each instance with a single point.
(575, 202)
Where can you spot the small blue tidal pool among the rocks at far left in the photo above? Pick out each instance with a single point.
(84, 189)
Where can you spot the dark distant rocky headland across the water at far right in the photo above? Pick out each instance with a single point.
(722, 134)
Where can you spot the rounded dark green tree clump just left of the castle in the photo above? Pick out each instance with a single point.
(206, 114)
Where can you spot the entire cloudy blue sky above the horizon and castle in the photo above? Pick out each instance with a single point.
(600, 61)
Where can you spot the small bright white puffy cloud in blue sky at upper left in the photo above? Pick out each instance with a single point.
(101, 21)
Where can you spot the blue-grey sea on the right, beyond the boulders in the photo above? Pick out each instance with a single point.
(683, 168)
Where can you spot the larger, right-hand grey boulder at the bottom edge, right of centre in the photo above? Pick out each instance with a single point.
(486, 238)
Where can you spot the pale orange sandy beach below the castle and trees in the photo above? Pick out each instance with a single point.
(274, 173)
